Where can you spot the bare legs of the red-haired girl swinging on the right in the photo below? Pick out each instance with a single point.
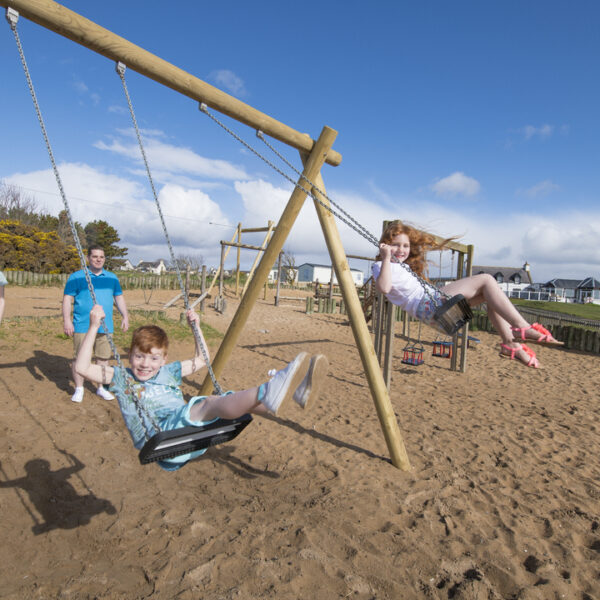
(501, 311)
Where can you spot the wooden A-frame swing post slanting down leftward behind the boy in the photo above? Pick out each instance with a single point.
(288, 217)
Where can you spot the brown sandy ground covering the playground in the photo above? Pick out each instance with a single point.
(502, 501)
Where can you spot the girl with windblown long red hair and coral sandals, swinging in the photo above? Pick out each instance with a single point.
(401, 243)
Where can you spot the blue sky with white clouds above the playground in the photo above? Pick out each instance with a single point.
(475, 119)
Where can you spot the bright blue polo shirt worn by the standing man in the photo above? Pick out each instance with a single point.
(106, 287)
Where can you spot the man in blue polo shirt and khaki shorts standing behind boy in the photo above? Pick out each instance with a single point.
(107, 290)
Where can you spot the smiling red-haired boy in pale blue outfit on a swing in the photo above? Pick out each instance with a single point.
(157, 386)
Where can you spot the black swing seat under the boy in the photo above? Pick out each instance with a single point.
(167, 444)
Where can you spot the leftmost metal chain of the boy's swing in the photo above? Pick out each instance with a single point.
(12, 17)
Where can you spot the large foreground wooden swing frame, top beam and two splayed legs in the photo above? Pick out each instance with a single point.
(313, 154)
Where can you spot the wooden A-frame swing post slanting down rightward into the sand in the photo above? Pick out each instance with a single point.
(379, 393)
